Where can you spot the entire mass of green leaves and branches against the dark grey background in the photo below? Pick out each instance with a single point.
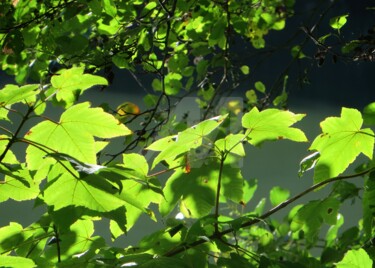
(169, 169)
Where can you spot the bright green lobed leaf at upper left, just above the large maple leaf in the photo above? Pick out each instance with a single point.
(72, 82)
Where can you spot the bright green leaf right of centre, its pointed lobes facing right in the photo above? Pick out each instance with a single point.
(272, 124)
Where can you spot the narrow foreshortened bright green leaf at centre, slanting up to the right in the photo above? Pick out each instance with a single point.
(191, 138)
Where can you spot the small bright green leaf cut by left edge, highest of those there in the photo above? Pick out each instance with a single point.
(11, 94)
